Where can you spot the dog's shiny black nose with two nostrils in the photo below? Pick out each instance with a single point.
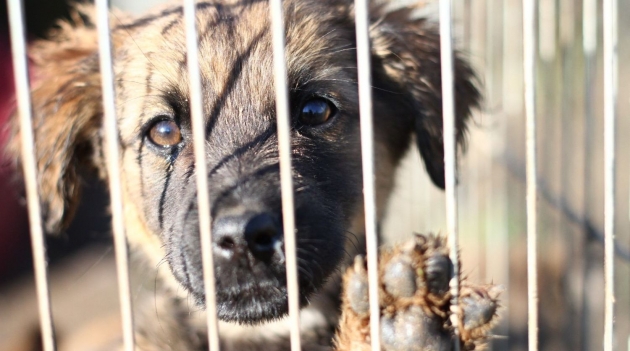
(257, 233)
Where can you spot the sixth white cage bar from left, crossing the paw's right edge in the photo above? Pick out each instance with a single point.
(450, 153)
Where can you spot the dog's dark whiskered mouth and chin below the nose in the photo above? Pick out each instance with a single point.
(252, 305)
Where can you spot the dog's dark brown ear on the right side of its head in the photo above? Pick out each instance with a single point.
(407, 51)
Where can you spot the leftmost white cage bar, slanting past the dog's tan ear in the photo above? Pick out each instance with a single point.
(22, 88)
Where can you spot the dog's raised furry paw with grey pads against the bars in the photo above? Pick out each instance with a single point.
(414, 301)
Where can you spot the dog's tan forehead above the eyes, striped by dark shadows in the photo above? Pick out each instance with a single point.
(236, 60)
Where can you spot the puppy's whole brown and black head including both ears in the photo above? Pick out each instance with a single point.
(241, 138)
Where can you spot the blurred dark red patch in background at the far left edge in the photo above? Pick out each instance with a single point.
(14, 239)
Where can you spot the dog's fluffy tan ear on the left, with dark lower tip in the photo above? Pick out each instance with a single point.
(67, 114)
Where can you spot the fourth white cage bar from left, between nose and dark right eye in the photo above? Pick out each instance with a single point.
(286, 178)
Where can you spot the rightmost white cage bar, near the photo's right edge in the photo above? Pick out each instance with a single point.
(610, 115)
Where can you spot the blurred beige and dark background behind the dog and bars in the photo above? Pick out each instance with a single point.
(491, 192)
